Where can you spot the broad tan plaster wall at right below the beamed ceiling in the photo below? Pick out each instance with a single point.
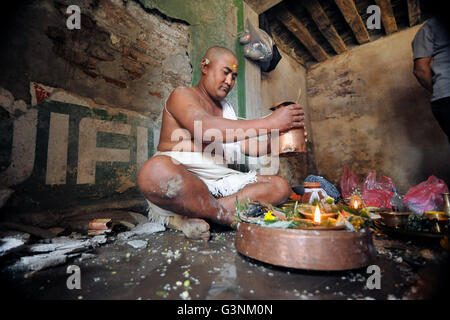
(367, 110)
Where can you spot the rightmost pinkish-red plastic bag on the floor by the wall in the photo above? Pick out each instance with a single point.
(426, 196)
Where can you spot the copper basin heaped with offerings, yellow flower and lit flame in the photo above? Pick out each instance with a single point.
(319, 236)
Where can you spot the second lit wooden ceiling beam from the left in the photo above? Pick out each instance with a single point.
(325, 26)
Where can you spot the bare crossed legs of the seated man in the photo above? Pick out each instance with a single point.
(168, 184)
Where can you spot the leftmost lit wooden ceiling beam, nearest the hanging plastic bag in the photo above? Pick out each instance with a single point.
(301, 33)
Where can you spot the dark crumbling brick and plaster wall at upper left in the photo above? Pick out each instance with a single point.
(122, 56)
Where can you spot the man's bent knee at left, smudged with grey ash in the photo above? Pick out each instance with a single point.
(160, 177)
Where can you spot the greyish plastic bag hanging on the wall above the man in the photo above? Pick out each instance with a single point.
(257, 43)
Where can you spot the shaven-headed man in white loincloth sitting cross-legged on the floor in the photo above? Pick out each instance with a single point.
(183, 182)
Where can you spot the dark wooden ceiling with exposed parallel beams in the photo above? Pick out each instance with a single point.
(312, 31)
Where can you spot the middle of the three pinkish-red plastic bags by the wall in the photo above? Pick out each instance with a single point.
(377, 193)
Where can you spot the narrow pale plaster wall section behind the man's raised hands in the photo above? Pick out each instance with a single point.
(283, 83)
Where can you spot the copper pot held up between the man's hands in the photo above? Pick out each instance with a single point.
(291, 142)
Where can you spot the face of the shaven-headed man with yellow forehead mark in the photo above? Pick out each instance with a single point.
(221, 75)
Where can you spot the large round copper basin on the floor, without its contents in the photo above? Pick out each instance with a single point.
(328, 250)
